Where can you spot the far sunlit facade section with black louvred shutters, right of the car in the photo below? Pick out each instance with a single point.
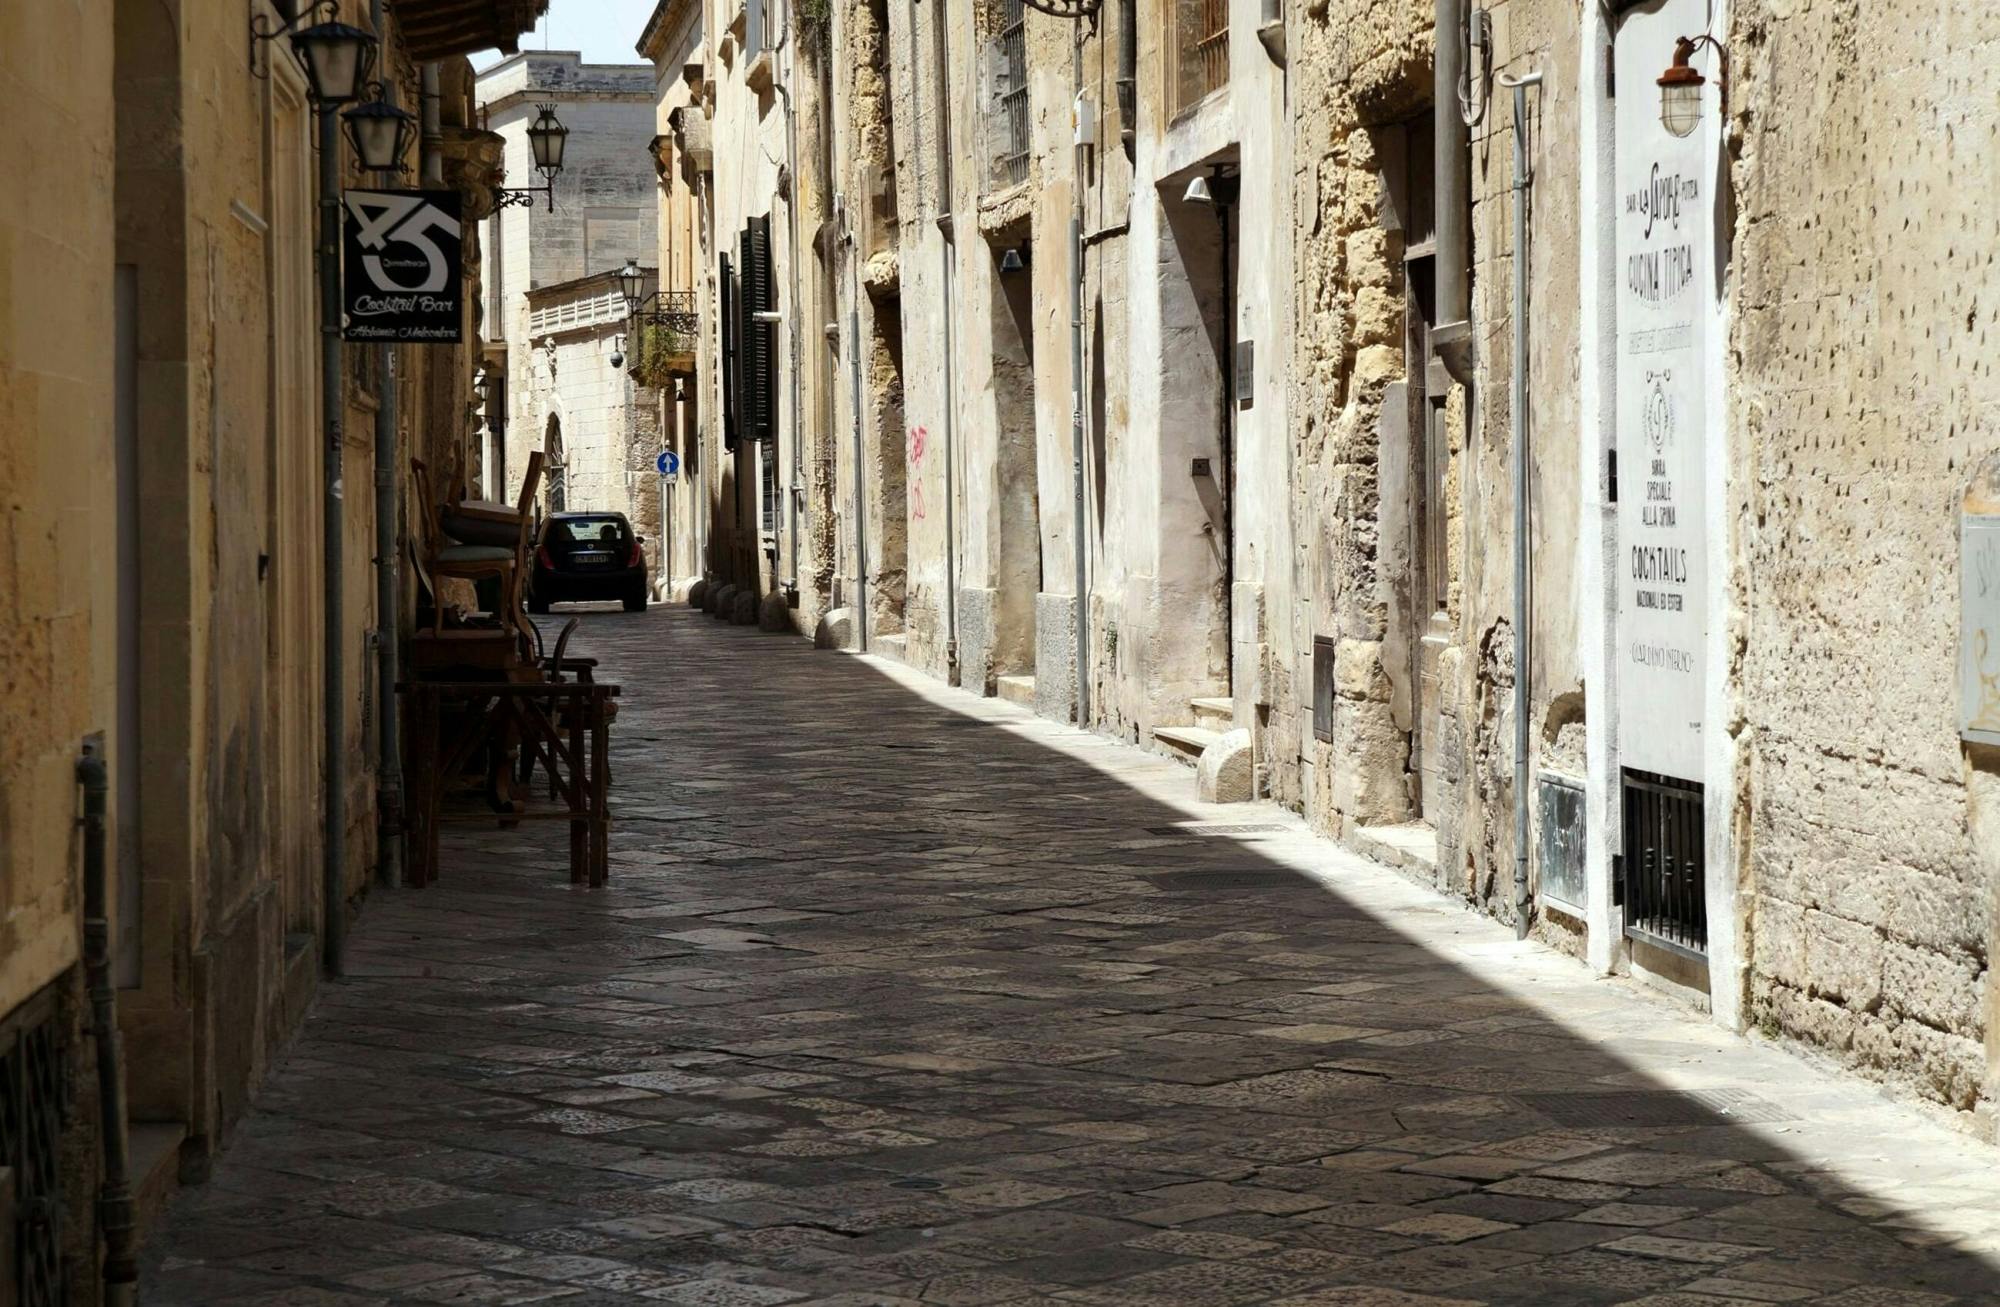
(745, 173)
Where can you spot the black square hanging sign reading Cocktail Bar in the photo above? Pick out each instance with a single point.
(403, 267)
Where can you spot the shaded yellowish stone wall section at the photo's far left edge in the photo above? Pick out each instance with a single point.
(57, 385)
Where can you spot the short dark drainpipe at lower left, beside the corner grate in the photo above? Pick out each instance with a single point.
(117, 1212)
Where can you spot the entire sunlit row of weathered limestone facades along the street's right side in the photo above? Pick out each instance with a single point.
(1447, 441)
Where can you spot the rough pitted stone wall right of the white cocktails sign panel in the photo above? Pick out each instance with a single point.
(1863, 399)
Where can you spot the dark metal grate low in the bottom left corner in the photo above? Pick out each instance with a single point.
(33, 1106)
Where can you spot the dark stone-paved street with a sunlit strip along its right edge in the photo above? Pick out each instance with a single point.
(909, 996)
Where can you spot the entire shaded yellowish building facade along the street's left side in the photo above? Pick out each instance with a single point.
(165, 467)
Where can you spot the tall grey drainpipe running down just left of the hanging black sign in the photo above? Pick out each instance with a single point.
(333, 637)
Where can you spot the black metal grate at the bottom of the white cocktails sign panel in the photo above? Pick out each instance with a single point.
(1665, 894)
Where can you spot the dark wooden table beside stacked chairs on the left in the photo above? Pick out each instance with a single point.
(563, 726)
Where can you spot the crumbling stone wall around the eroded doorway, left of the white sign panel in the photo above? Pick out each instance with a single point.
(1423, 694)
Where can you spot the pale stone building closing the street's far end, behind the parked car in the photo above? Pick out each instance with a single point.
(551, 297)
